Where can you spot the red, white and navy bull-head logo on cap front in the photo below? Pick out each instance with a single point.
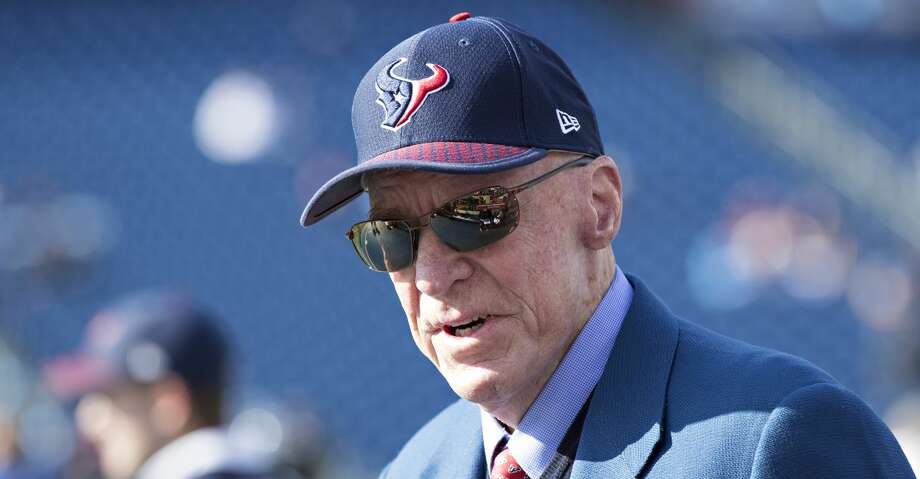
(401, 97)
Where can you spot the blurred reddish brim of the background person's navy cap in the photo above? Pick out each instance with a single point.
(77, 374)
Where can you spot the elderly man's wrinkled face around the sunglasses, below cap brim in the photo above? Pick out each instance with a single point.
(522, 286)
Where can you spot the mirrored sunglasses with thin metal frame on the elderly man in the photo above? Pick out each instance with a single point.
(465, 223)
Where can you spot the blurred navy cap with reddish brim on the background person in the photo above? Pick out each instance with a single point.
(141, 339)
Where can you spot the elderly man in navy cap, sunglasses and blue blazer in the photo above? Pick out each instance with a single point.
(493, 209)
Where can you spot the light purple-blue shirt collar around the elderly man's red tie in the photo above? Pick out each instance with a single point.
(534, 443)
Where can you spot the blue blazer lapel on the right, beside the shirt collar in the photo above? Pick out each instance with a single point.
(624, 419)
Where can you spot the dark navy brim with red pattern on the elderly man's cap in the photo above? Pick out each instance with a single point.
(445, 157)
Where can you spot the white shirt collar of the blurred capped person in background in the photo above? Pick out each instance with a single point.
(198, 453)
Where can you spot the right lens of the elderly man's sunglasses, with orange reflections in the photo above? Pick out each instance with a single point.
(477, 219)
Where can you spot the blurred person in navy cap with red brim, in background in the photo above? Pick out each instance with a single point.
(151, 382)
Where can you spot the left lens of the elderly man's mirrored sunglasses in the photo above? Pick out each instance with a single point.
(383, 245)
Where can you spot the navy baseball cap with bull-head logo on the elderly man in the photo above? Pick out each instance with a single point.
(474, 95)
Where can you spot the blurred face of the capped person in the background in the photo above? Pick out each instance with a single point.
(118, 423)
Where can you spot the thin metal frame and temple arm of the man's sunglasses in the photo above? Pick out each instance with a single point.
(412, 226)
